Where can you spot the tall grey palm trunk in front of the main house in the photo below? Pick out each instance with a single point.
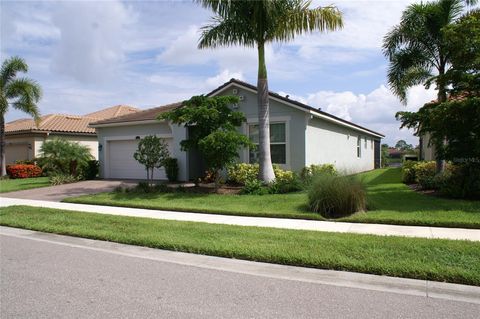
(266, 173)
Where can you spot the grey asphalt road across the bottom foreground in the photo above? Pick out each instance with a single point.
(47, 280)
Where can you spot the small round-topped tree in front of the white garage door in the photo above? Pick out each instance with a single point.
(152, 152)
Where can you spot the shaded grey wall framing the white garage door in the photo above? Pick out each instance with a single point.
(131, 132)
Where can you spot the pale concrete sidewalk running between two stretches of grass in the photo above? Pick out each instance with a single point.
(283, 223)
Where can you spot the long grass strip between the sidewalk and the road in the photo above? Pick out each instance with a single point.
(432, 259)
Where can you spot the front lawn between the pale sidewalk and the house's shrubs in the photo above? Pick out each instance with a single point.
(389, 202)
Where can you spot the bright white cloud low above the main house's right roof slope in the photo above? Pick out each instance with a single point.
(375, 110)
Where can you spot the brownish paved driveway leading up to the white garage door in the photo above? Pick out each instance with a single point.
(59, 192)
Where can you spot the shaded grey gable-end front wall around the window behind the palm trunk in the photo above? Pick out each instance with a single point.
(293, 118)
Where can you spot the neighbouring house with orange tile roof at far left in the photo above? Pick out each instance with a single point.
(24, 138)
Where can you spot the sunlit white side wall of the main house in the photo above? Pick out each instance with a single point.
(328, 143)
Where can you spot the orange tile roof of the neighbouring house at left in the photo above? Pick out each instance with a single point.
(67, 123)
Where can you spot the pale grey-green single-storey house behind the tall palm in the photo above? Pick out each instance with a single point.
(300, 135)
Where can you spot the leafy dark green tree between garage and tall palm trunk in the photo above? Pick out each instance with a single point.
(215, 131)
